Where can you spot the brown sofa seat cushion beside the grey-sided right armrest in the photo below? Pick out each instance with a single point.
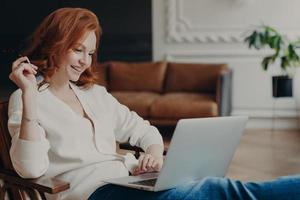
(184, 105)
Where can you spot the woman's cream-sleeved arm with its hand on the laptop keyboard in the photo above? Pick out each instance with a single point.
(130, 127)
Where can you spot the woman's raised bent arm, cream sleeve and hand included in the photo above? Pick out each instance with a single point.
(29, 149)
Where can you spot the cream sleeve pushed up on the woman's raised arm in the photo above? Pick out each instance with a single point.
(29, 157)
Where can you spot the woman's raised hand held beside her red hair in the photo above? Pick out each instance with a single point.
(23, 74)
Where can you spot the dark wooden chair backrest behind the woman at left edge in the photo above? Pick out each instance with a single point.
(5, 138)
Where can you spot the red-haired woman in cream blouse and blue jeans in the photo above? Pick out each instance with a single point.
(66, 126)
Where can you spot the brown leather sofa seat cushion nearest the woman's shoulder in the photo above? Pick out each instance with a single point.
(137, 101)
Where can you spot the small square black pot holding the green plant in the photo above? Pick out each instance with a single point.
(282, 86)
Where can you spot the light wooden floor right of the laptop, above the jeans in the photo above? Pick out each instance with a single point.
(264, 155)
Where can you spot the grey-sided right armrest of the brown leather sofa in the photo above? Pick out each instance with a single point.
(224, 93)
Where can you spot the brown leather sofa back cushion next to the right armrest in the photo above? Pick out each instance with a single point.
(193, 77)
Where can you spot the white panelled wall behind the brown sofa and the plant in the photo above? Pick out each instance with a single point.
(212, 31)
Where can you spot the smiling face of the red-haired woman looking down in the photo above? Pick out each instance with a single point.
(79, 58)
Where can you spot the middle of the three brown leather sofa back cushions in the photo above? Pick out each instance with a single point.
(139, 76)
